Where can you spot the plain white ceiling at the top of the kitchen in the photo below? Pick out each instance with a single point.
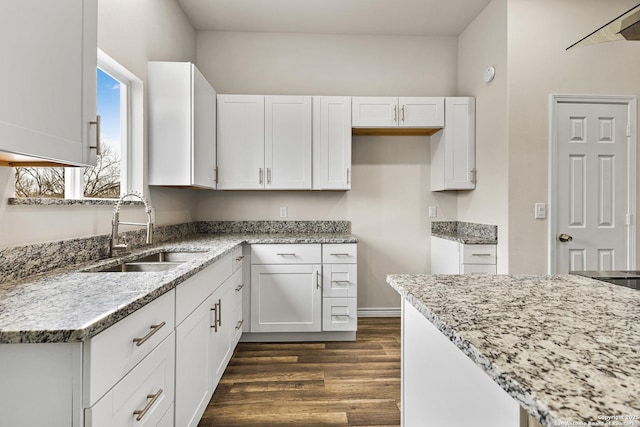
(383, 17)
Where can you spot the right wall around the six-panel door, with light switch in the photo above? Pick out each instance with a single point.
(538, 33)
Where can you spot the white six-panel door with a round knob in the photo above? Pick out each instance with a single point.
(595, 165)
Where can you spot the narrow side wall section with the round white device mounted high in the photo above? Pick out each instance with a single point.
(484, 44)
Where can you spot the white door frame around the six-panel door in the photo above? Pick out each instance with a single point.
(632, 142)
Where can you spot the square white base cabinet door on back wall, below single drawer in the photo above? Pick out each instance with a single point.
(286, 298)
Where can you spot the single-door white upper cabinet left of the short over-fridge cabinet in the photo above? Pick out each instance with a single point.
(331, 143)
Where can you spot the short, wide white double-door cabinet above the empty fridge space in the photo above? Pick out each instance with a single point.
(390, 112)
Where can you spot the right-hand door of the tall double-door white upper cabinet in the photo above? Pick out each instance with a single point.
(287, 142)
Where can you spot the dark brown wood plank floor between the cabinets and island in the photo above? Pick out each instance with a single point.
(313, 384)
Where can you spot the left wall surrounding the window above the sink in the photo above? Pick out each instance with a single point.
(132, 33)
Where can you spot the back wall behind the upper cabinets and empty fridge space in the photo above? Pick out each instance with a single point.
(390, 192)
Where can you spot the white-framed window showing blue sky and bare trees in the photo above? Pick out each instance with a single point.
(118, 96)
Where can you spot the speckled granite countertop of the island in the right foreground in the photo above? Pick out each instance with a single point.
(567, 348)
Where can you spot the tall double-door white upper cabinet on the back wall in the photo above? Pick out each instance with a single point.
(264, 142)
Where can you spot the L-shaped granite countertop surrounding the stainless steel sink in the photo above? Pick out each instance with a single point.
(69, 304)
